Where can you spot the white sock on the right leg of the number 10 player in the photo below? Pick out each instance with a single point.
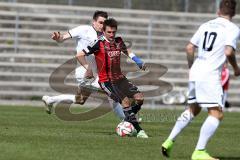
(207, 130)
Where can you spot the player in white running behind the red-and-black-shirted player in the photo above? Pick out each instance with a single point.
(85, 35)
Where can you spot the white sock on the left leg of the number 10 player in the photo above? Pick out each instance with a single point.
(182, 121)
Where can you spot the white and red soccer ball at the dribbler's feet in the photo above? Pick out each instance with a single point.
(125, 129)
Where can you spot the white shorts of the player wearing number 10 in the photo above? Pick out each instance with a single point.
(206, 94)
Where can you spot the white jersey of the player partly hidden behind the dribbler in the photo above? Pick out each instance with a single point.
(85, 35)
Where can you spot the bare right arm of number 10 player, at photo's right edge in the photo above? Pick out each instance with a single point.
(230, 53)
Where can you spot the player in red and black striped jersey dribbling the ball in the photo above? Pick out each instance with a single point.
(107, 50)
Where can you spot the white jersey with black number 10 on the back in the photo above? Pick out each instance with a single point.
(211, 39)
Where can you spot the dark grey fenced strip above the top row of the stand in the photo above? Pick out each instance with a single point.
(200, 6)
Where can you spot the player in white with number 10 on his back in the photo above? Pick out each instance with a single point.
(216, 41)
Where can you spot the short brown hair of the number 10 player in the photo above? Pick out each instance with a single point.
(228, 7)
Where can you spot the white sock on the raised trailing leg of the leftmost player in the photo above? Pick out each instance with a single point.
(67, 98)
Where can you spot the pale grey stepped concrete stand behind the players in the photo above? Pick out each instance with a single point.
(29, 56)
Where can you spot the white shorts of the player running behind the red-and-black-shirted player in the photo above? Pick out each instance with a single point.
(81, 80)
